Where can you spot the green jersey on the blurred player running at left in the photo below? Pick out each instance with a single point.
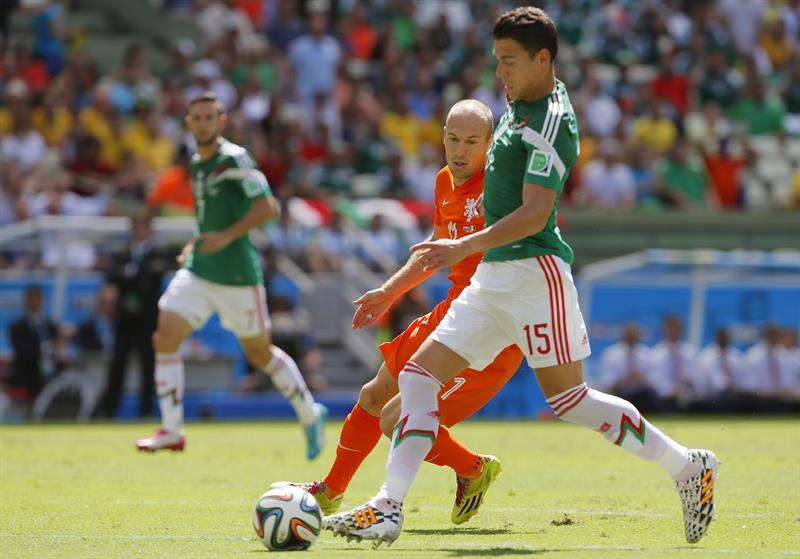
(223, 187)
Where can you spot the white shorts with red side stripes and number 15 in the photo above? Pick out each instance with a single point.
(531, 302)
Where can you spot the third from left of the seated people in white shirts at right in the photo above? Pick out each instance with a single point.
(718, 372)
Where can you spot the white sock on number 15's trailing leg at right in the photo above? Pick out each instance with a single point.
(621, 423)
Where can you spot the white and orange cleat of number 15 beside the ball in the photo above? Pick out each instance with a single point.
(380, 520)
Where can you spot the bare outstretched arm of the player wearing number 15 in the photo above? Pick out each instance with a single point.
(530, 218)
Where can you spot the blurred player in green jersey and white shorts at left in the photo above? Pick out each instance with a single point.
(222, 274)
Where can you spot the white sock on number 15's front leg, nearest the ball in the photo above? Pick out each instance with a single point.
(415, 433)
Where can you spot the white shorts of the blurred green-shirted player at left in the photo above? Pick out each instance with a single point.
(241, 309)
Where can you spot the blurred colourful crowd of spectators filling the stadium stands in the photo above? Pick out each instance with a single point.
(682, 103)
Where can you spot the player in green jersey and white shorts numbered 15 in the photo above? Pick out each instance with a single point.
(522, 293)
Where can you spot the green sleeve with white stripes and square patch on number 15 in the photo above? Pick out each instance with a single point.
(547, 157)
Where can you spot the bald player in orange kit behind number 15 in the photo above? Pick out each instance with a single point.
(459, 187)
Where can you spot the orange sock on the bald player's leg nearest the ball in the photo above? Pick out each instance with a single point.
(360, 433)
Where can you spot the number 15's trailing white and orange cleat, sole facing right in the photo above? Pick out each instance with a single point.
(697, 495)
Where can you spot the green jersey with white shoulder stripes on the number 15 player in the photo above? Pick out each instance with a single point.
(536, 142)
